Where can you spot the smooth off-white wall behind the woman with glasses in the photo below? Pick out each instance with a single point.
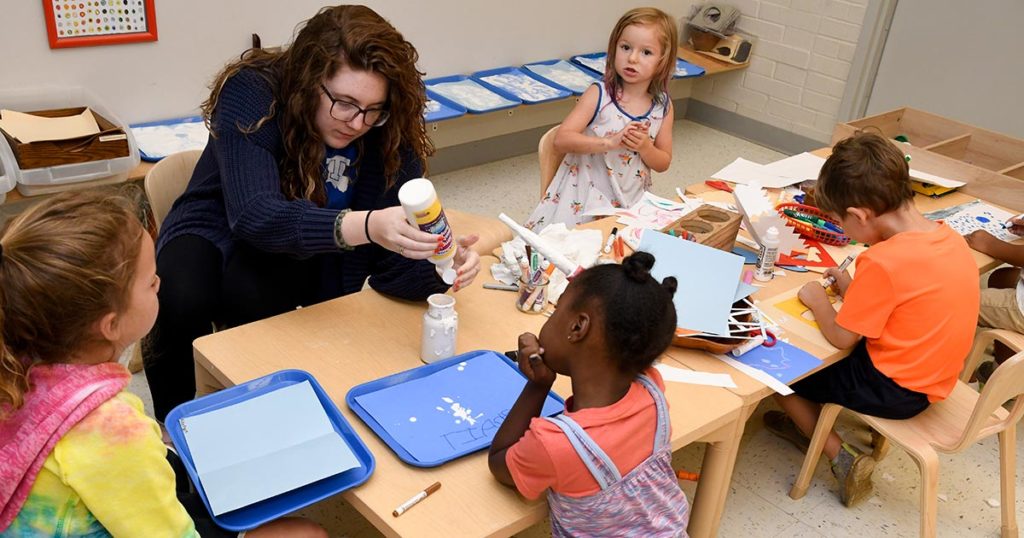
(168, 78)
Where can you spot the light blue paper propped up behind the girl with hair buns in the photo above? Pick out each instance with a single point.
(707, 277)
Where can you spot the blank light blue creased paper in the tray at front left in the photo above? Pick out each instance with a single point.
(265, 446)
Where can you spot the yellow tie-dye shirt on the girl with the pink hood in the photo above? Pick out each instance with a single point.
(109, 476)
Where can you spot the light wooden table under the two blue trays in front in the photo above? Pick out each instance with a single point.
(365, 337)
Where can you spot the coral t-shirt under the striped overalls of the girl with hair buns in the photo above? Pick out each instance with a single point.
(544, 459)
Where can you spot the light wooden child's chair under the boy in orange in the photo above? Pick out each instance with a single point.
(950, 427)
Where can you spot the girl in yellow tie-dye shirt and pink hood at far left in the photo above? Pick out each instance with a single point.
(78, 457)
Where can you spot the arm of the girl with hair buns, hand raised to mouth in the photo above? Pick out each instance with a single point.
(531, 402)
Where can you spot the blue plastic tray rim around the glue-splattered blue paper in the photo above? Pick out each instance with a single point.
(408, 376)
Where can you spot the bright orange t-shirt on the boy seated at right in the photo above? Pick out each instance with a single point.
(916, 300)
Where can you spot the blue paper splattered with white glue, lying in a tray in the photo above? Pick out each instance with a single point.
(453, 411)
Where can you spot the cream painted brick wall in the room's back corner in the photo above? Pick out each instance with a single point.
(799, 68)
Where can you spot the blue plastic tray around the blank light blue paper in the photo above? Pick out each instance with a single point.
(280, 506)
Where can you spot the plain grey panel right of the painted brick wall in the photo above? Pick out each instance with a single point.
(957, 61)
